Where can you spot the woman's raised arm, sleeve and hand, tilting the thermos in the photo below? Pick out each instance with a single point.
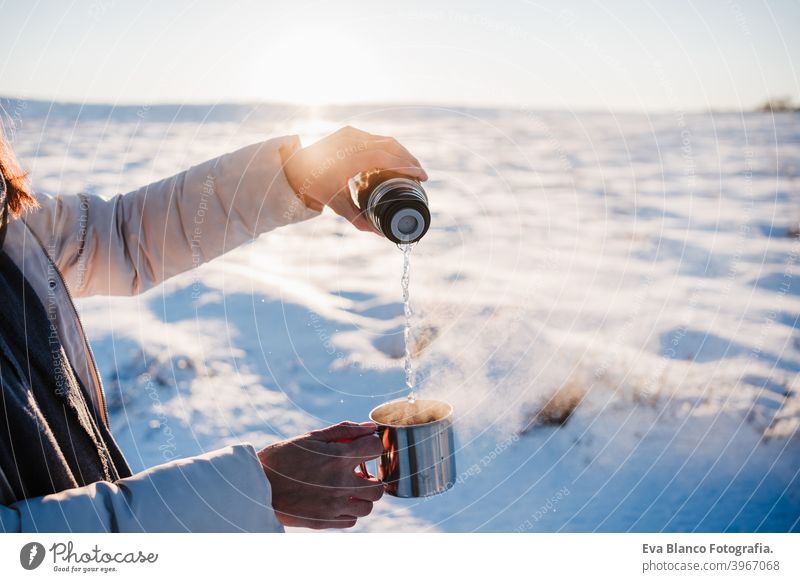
(132, 242)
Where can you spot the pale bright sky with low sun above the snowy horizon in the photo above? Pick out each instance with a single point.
(631, 55)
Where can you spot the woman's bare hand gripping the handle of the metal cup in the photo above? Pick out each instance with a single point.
(313, 478)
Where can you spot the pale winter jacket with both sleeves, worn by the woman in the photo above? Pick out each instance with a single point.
(124, 246)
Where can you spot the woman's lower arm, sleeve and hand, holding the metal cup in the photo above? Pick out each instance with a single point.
(307, 481)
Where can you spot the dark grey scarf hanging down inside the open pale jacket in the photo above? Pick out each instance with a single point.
(49, 438)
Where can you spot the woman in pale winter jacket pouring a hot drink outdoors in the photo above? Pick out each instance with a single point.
(60, 469)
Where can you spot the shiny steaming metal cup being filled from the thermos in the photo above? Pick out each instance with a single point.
(419, 451)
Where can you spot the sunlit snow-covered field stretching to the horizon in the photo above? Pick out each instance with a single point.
(637, 266)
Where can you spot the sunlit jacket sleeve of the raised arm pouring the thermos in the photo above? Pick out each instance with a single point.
(129, 243)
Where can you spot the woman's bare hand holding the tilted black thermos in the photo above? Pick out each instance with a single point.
(319, 172)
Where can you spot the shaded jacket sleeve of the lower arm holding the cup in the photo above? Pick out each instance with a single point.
(221, 491)
